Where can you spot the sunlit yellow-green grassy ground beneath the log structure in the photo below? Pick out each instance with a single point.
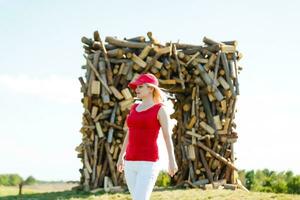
(63, 191)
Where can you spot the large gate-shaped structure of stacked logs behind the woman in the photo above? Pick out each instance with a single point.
(204, 80)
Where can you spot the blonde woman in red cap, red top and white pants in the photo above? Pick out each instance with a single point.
(140, 161)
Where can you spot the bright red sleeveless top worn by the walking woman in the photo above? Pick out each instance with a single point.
(143, 129)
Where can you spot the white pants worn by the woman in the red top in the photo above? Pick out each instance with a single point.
(140, 178)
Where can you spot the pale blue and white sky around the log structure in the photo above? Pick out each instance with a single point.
(41, 58)
